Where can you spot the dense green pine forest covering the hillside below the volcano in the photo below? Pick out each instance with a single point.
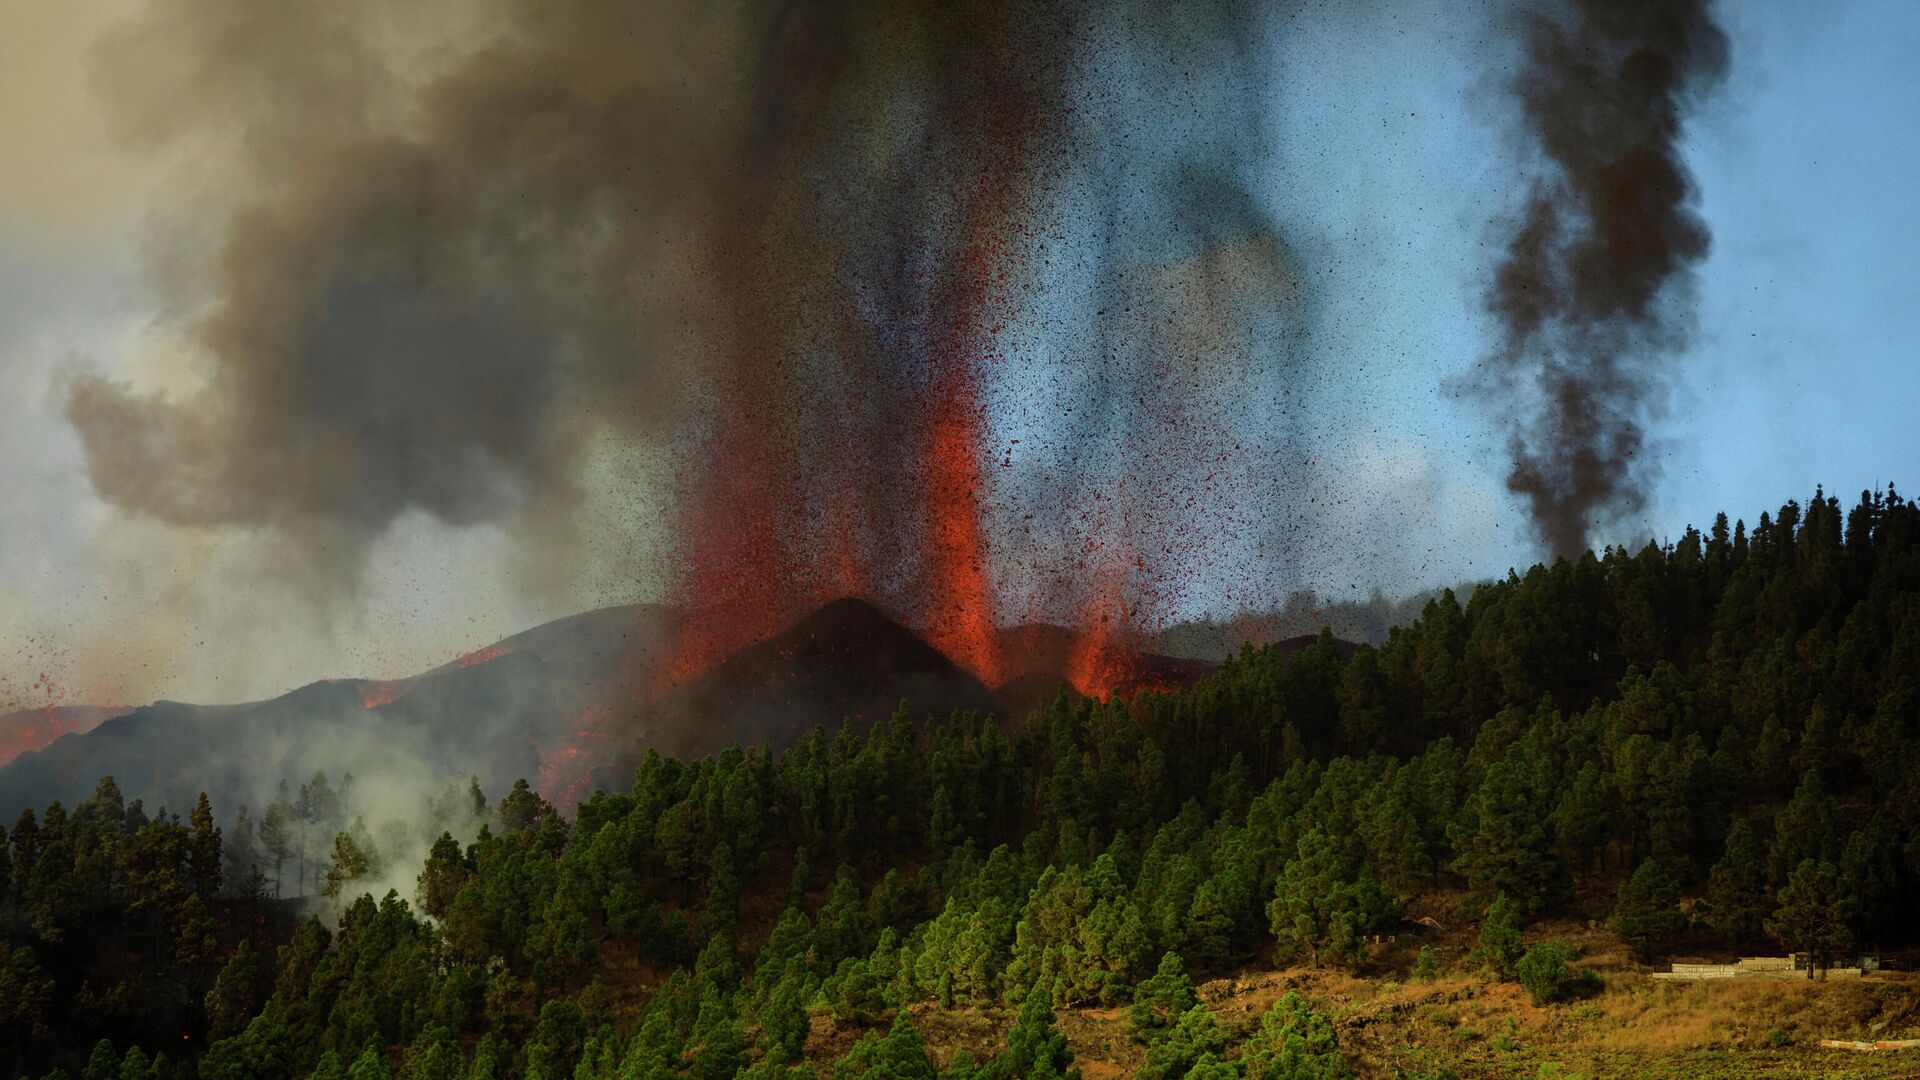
(1721, 735)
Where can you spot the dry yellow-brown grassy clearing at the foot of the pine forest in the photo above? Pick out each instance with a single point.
(1474, 1029)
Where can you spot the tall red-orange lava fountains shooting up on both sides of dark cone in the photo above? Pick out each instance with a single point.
(786, 508)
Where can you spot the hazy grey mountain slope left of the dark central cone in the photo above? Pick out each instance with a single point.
(510, 710)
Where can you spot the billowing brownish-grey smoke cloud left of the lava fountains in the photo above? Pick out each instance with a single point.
(431, 295)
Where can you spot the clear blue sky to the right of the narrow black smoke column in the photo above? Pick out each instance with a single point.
(1808, 366)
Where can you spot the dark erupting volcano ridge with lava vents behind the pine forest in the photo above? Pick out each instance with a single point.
(571, 704)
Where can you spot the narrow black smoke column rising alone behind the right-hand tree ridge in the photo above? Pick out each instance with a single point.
(1591, 280)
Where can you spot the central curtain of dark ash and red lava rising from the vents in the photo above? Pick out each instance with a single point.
(926, 180)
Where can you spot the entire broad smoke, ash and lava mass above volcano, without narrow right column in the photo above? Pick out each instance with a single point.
(798, 245)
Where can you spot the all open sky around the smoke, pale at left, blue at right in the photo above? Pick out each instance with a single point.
(1383, 159)
